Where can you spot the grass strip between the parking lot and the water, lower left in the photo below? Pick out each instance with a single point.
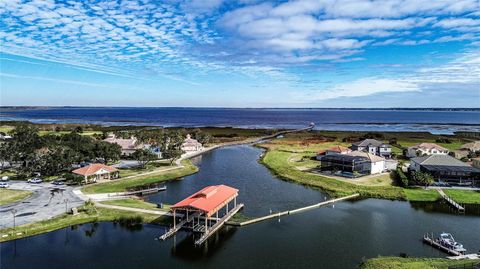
(66, 220)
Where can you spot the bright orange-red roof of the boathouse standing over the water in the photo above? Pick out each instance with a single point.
(209, 199)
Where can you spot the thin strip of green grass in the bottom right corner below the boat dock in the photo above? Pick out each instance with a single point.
(412, 263)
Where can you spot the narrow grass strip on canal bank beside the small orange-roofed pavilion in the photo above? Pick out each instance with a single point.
(122, 184)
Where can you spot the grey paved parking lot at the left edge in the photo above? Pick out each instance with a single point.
(47, 201)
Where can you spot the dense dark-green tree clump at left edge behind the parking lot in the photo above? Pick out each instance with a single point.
(28, 152)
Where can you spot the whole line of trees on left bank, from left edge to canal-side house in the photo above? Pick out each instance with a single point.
(52, 154)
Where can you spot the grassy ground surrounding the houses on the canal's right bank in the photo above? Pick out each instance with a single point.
(291, 159)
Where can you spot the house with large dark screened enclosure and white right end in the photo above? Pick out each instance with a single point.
(353, 164)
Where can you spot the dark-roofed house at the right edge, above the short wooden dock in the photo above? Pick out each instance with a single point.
(445, 168)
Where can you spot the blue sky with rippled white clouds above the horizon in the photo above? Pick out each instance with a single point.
(245, 53)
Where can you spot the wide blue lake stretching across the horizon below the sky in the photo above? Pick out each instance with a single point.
(364, 120)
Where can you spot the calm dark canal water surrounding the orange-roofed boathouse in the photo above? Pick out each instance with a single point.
(330, 237)
